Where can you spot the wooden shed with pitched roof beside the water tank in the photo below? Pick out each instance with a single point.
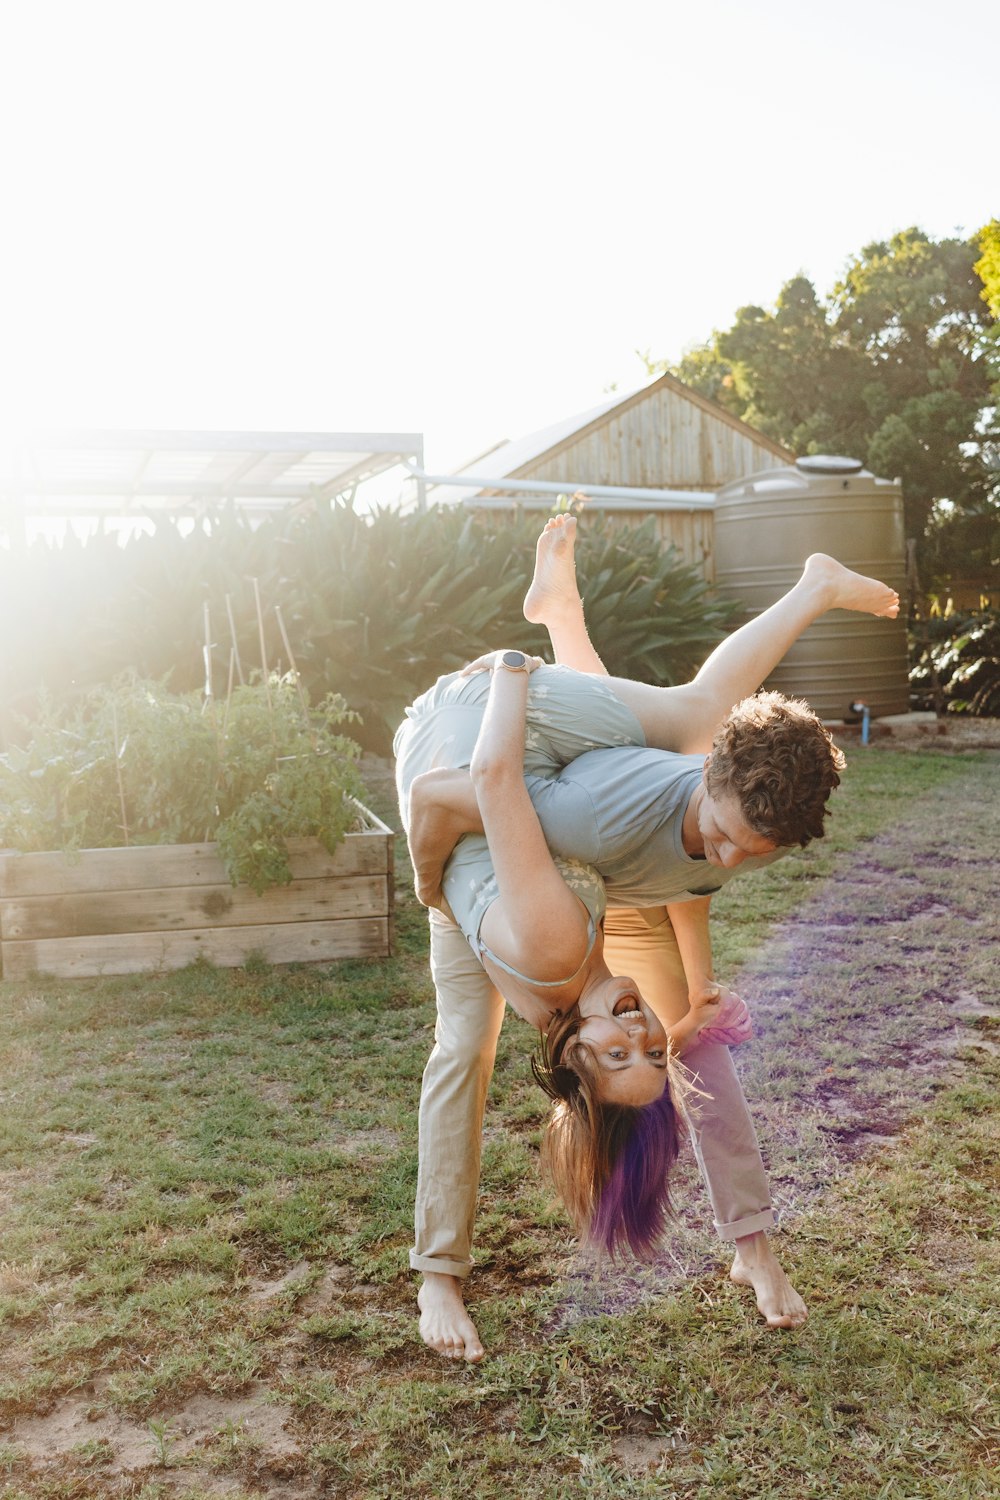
(663, 439)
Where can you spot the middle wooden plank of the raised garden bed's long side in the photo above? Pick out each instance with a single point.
(179, 907)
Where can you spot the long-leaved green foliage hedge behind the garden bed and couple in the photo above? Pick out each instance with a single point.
(374, 608)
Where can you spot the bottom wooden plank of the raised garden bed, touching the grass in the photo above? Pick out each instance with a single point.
(229, 947)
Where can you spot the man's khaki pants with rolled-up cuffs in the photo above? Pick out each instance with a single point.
(458, 1075)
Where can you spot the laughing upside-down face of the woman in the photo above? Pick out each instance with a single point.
(627, 1042)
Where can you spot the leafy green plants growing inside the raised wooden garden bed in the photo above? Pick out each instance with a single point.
(134, 764)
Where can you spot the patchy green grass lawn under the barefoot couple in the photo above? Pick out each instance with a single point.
(208, 1186)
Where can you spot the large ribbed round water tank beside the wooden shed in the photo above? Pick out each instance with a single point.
(765, 529)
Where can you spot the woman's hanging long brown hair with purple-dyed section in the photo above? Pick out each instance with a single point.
(609, 1163)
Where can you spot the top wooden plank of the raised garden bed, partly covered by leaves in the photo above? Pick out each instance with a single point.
(157, 866)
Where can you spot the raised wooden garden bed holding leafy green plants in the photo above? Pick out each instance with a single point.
(161, 907)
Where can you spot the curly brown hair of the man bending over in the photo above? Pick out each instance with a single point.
(779, 761)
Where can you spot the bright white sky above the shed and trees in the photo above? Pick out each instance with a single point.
(442, 215)
